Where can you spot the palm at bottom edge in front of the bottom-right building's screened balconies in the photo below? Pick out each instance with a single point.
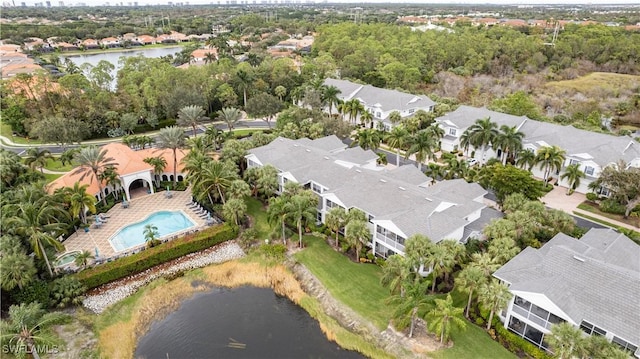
(567, 341)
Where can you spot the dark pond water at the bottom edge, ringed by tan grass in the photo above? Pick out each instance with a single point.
(245, 322)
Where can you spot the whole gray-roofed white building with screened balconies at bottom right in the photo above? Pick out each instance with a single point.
(592, 283)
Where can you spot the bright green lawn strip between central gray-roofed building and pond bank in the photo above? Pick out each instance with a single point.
(354, 284)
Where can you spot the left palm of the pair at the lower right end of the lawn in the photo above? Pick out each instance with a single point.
(410, 305)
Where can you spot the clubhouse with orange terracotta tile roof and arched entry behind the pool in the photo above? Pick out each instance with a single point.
(131, 169)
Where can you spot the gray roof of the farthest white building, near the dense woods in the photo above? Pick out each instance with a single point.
(387, 100)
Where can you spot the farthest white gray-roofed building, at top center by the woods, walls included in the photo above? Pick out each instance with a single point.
(382, 102)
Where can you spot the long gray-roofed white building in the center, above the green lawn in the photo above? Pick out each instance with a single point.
(398, 202)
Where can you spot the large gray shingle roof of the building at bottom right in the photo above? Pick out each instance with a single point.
(591, 280)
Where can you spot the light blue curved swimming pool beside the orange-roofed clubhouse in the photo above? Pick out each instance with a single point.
(167, 222)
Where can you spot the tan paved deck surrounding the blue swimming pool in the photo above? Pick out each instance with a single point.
(139, 208)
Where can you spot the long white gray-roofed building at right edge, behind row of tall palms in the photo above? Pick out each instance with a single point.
(592, 151)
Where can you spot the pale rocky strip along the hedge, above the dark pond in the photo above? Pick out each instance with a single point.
(101, 298)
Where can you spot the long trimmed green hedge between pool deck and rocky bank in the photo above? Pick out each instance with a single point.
(136, 263)
